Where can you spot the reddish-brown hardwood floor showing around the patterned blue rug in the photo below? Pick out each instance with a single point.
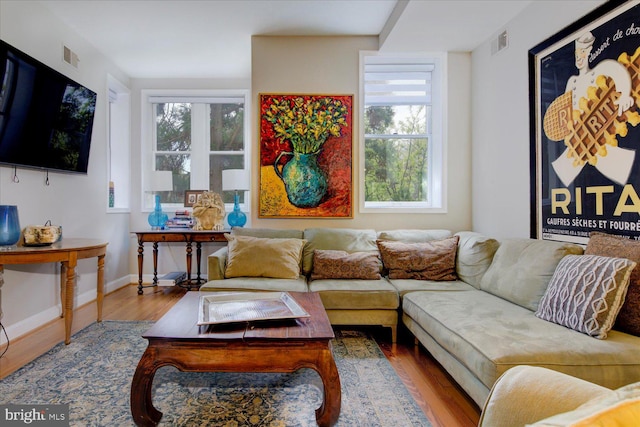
(444, 403)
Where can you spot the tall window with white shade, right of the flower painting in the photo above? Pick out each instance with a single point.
(402, 148)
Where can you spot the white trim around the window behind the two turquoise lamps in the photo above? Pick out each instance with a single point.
(147, 134)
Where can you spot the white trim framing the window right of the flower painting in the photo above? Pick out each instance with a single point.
(438, 149)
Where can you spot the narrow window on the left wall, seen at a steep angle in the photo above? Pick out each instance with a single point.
(118, 155)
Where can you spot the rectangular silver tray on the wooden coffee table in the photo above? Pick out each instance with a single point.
(248, 306)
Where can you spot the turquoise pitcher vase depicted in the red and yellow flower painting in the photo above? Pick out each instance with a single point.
(304, 181)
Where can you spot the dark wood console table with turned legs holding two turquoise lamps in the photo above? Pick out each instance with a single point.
(188, 237)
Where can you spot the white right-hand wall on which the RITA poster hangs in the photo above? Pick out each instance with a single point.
(500, 118)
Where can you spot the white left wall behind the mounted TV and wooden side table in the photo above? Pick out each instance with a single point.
(30, 295)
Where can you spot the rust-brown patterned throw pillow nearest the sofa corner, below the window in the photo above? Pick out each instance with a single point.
(434, 260)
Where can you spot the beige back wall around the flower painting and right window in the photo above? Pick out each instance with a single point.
(331, 65)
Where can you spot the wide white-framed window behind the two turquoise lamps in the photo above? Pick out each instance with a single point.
(196, 136)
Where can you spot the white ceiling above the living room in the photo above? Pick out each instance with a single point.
(212, 38)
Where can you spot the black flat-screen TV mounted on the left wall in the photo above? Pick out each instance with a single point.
(46, 119)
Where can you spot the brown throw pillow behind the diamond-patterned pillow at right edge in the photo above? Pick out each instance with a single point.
(628, 319)
